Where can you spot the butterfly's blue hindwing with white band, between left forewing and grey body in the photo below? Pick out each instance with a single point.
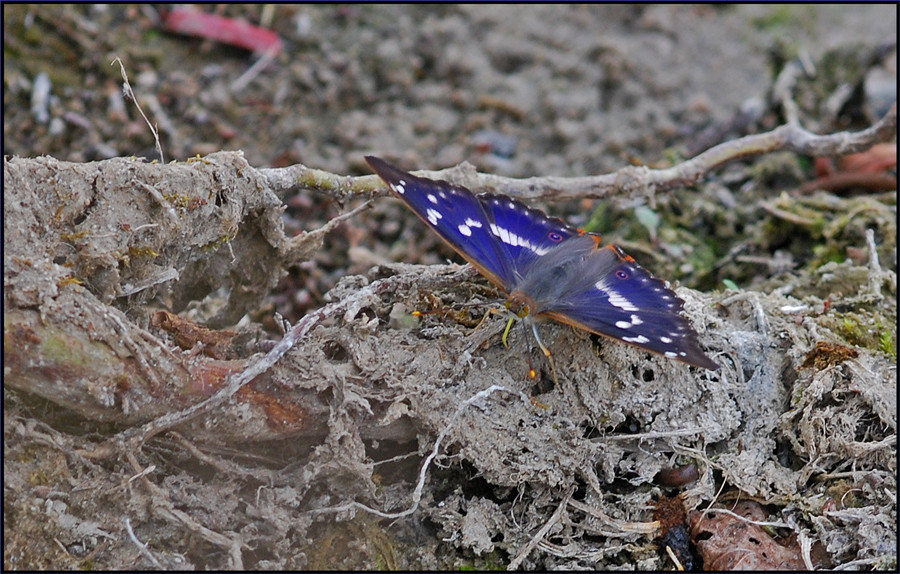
(526, 233)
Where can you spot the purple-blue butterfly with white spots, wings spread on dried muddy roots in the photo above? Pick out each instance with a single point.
(549, 269)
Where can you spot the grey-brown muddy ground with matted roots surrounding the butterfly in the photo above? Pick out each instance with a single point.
(133, 290)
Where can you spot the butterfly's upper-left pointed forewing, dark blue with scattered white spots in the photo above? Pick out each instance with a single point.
(457, 216)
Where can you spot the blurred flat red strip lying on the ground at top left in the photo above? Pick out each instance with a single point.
(239, 33)
